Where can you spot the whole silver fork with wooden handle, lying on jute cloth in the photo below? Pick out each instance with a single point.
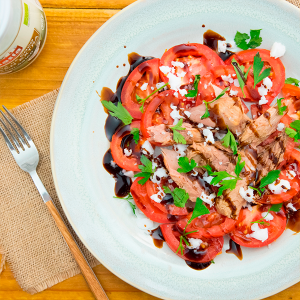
(27, 157)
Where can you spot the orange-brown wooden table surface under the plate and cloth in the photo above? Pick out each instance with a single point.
(70, 24)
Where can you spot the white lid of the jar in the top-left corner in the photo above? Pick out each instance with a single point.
(10, 20)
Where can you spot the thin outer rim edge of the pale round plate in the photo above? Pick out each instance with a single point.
(53, 169)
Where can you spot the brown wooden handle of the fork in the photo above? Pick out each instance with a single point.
(85, 268)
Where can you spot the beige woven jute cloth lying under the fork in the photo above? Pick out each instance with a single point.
(29, 239)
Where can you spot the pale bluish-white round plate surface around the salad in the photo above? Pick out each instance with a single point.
(107, 226)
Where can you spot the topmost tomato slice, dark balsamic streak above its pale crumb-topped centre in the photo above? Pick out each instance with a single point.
(197, 60)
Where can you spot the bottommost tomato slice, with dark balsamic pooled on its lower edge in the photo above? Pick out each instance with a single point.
(208, 250)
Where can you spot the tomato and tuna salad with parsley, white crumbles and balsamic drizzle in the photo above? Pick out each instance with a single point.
(188, 153)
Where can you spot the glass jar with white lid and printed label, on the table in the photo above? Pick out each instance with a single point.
(23, 31)
